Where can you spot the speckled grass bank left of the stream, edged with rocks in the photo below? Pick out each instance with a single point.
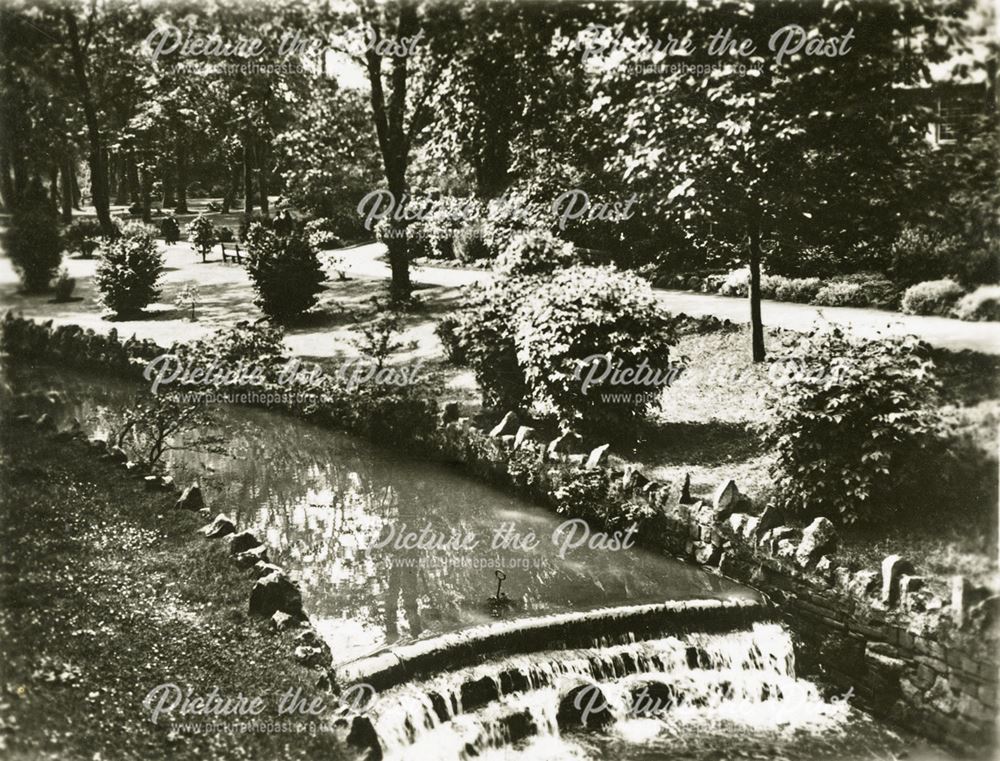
(105, 593)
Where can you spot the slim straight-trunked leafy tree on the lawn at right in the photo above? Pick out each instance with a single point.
(746, 144)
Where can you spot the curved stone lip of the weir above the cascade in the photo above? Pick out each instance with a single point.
(601, 627)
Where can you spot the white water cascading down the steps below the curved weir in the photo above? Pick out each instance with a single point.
(742, 677)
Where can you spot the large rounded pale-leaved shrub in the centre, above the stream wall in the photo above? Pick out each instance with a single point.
(596, 324)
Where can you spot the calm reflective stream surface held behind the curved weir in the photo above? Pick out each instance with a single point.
(323, 501)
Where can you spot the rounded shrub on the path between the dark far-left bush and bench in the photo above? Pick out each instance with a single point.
(129, 270)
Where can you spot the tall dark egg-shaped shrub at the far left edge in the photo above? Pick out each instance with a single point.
(32, 241)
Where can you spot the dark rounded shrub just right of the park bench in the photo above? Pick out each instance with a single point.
(285, 271)
